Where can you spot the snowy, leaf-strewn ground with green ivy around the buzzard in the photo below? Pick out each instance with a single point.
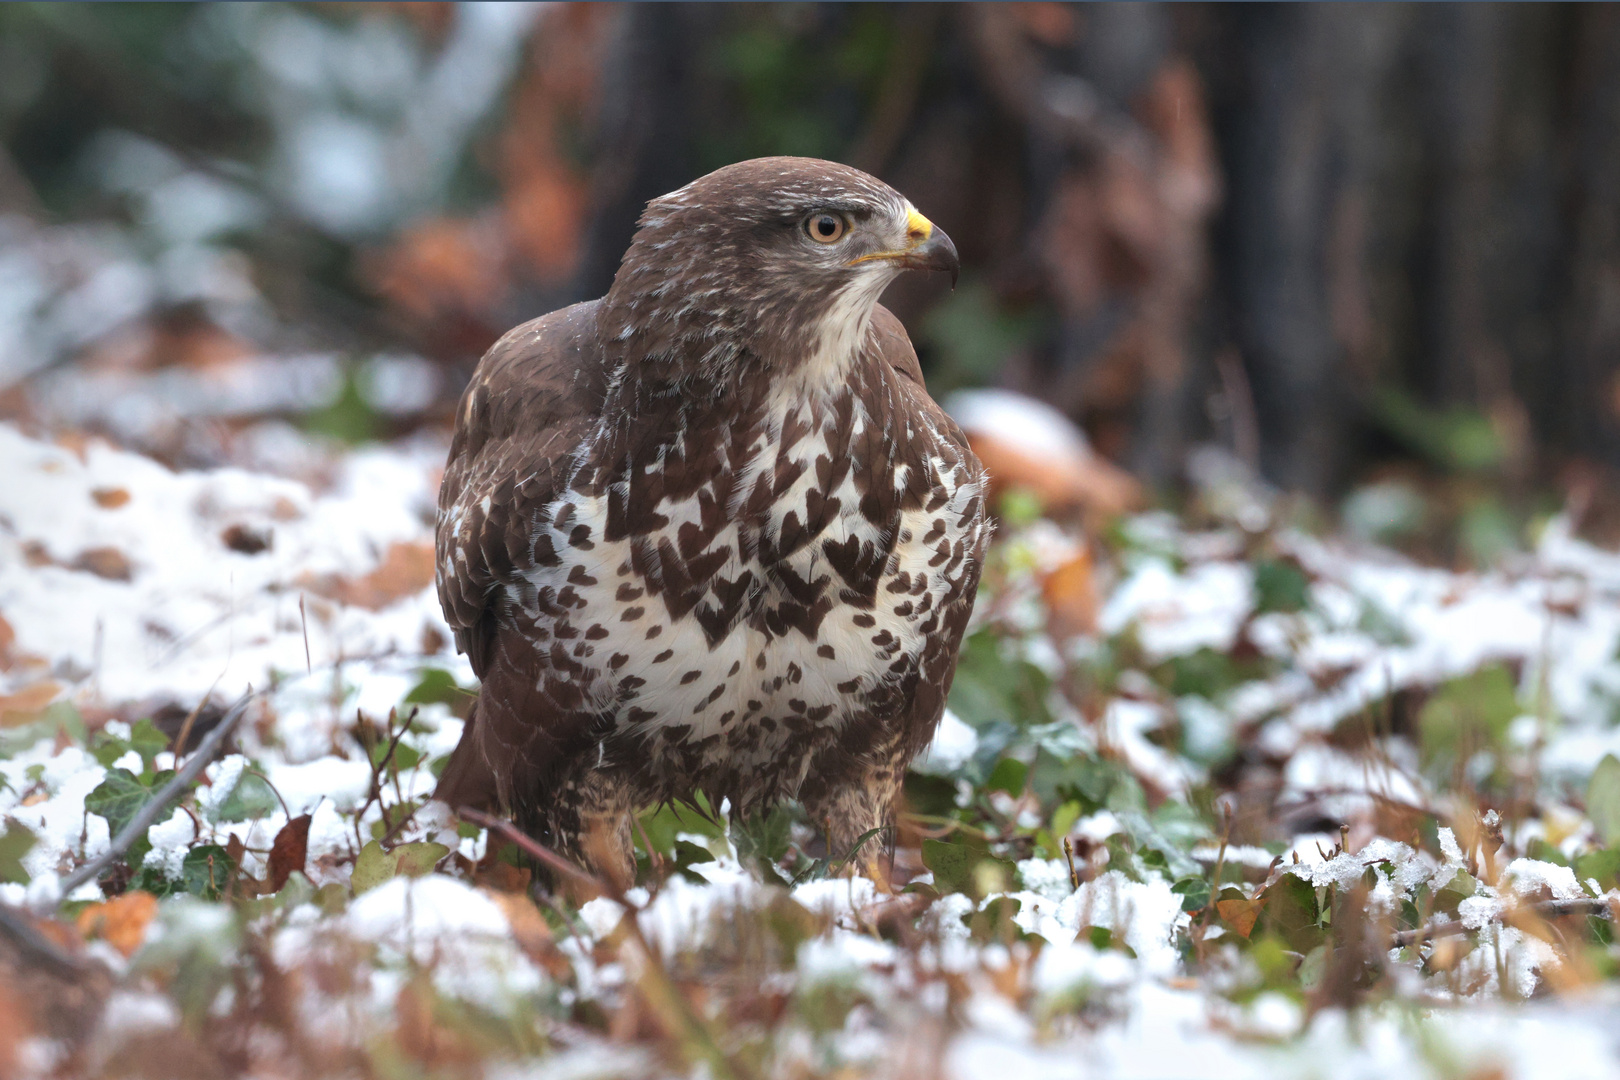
(1216, 797)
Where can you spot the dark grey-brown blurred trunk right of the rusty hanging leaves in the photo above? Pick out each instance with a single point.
(1423, 203)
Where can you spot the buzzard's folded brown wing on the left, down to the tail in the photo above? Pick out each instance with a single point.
(532, 401)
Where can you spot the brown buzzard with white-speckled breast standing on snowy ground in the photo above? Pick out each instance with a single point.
(710, 532)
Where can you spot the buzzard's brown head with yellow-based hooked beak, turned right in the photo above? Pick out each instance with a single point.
(780, 258)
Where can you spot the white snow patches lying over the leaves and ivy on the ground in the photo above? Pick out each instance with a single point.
(126, 585)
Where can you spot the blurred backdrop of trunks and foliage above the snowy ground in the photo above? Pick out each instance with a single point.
(1373, 252)
